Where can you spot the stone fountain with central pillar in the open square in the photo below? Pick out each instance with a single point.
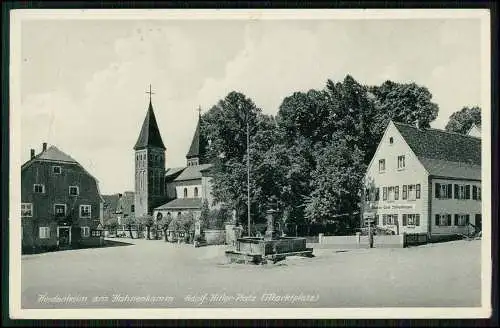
(271, 247)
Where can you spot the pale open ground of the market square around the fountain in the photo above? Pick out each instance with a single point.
(156, 274)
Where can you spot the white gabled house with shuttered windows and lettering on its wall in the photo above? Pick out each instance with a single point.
(424, 181)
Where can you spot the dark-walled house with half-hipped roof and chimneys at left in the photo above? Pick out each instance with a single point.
(61, 204)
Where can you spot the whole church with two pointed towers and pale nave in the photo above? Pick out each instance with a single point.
(172, 191)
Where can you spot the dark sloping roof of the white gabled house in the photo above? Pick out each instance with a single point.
(443, 153)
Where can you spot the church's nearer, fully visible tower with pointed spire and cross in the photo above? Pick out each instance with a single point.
(149, 166)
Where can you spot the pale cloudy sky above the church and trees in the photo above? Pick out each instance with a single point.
(84, 82)
